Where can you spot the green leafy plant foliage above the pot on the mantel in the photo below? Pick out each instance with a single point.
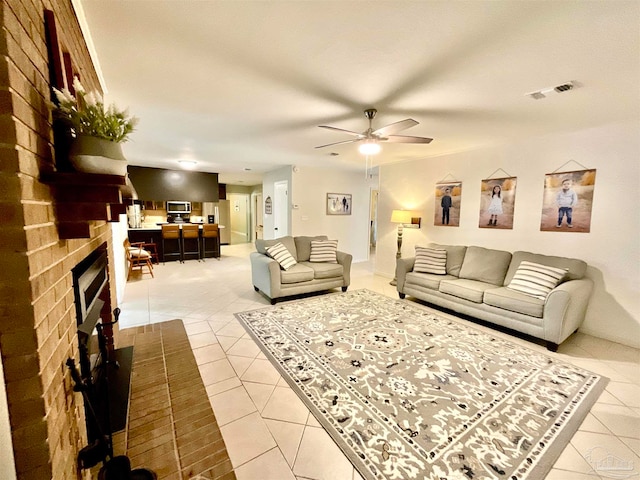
(86, 114)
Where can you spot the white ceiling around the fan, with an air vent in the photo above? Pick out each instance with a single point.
(241, 85)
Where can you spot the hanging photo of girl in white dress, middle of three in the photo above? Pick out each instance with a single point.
(497, 201)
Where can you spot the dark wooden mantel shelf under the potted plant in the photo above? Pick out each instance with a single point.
(81, 198)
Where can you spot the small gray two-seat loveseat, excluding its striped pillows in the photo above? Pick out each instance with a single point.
(304, 277)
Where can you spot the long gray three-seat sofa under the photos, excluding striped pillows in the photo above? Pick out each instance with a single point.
(476, 282)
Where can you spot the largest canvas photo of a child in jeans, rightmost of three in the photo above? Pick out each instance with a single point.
(567, 201)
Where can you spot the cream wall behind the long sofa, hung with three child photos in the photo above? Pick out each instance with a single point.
(611, 249)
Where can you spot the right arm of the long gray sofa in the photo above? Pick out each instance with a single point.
(565, 308)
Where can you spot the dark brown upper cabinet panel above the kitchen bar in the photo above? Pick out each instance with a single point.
(163, 184)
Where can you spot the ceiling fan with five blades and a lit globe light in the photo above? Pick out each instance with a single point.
(371, 137)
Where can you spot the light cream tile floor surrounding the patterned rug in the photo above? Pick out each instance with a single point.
(269, 433)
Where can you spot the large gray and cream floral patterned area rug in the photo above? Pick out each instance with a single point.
(409, 394)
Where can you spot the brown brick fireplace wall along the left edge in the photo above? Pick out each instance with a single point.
(37, 313)
